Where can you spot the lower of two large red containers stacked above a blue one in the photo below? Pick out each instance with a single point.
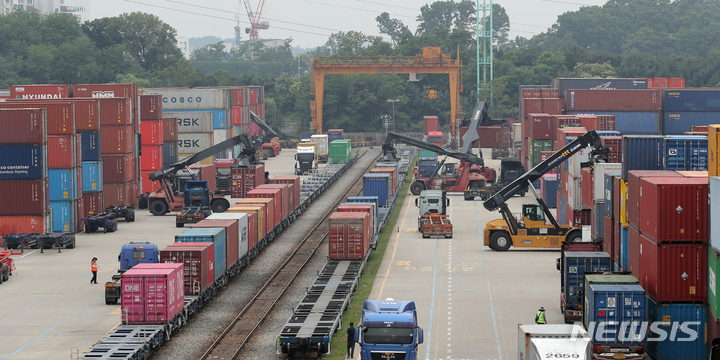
(674, 272)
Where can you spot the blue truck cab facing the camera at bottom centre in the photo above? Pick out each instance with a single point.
(389, 330)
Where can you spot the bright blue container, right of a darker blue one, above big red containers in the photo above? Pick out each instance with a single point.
(686, 152)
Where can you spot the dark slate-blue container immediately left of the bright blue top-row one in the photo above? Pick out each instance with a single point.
(642, 152)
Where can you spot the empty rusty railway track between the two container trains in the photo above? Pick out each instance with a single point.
(231, 341)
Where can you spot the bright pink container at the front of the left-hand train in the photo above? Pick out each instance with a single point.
(152, 294)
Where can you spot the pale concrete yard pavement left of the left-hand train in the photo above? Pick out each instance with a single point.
(50, 309)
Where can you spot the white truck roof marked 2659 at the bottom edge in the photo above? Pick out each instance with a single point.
(553, 341)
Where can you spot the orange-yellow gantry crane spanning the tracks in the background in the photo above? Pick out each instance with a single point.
(431, 61)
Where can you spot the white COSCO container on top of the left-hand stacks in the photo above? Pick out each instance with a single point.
(191, 99)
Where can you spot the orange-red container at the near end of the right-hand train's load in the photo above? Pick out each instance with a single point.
(349, 235)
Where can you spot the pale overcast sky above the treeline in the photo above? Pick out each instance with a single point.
(310, 22)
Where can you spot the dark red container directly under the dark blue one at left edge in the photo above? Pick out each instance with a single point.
(24, 197)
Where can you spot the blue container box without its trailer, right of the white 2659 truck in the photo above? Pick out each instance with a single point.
(616, 307)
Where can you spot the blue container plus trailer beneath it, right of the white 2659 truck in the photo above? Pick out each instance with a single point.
(615, 317)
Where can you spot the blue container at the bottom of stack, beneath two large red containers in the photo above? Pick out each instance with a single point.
(685, 331)
